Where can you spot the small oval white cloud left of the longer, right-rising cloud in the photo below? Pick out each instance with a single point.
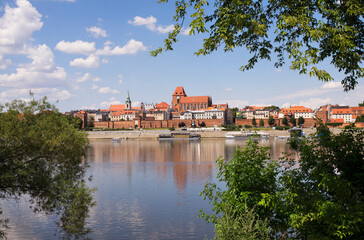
(76, 47)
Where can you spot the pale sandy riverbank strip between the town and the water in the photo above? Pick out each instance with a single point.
(154, 134)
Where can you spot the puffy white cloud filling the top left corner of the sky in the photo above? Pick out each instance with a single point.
(17, 26)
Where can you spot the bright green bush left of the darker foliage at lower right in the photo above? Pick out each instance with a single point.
(247, 176)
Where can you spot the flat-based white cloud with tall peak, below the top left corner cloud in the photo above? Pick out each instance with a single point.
(41, 72)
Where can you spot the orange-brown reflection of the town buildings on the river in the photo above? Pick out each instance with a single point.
(189, 162)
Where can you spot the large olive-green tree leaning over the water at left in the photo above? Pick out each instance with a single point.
(41, 155)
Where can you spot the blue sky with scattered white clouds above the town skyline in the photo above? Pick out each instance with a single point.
(89, 53)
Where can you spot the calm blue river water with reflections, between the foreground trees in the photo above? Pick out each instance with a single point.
(146, 190)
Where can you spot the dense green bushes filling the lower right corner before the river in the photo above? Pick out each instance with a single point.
(319, 196)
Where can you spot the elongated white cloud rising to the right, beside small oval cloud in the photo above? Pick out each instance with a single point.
(132, 47)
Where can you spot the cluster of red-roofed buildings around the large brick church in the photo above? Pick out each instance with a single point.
(183, 107)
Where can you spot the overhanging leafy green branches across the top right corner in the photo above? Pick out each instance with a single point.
(308, 32)
